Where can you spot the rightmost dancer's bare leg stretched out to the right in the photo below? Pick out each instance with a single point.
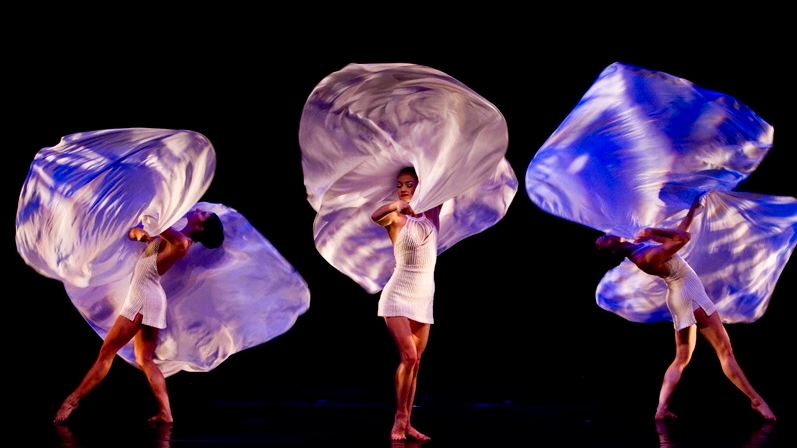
(712, 329)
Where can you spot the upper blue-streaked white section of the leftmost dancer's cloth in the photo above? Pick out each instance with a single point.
(82, 195)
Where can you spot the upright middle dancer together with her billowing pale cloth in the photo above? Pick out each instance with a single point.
(359, 127)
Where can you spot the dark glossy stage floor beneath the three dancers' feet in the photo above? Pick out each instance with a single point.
(338, 421)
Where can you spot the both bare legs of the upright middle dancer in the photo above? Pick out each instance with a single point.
(411, 338)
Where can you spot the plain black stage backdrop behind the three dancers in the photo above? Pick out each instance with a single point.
(515, 309)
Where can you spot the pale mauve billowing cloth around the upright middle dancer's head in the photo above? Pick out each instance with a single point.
(362, 124)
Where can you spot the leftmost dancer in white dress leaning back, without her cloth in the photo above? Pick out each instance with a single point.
(144, 311)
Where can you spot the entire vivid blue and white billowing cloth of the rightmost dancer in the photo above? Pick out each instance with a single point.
(636, 150)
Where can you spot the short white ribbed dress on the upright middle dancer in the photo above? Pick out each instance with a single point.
(410, 290)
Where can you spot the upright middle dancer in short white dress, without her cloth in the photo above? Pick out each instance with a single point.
(407, 298)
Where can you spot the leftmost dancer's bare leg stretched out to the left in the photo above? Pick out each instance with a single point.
(120, 334)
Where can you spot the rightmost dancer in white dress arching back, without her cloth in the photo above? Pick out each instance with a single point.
(655, 252)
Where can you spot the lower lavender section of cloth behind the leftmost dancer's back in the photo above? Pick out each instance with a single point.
(220, 301)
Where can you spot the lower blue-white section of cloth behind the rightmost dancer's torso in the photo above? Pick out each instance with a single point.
(740, 244)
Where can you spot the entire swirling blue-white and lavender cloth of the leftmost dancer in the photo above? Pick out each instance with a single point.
(82, 196)
